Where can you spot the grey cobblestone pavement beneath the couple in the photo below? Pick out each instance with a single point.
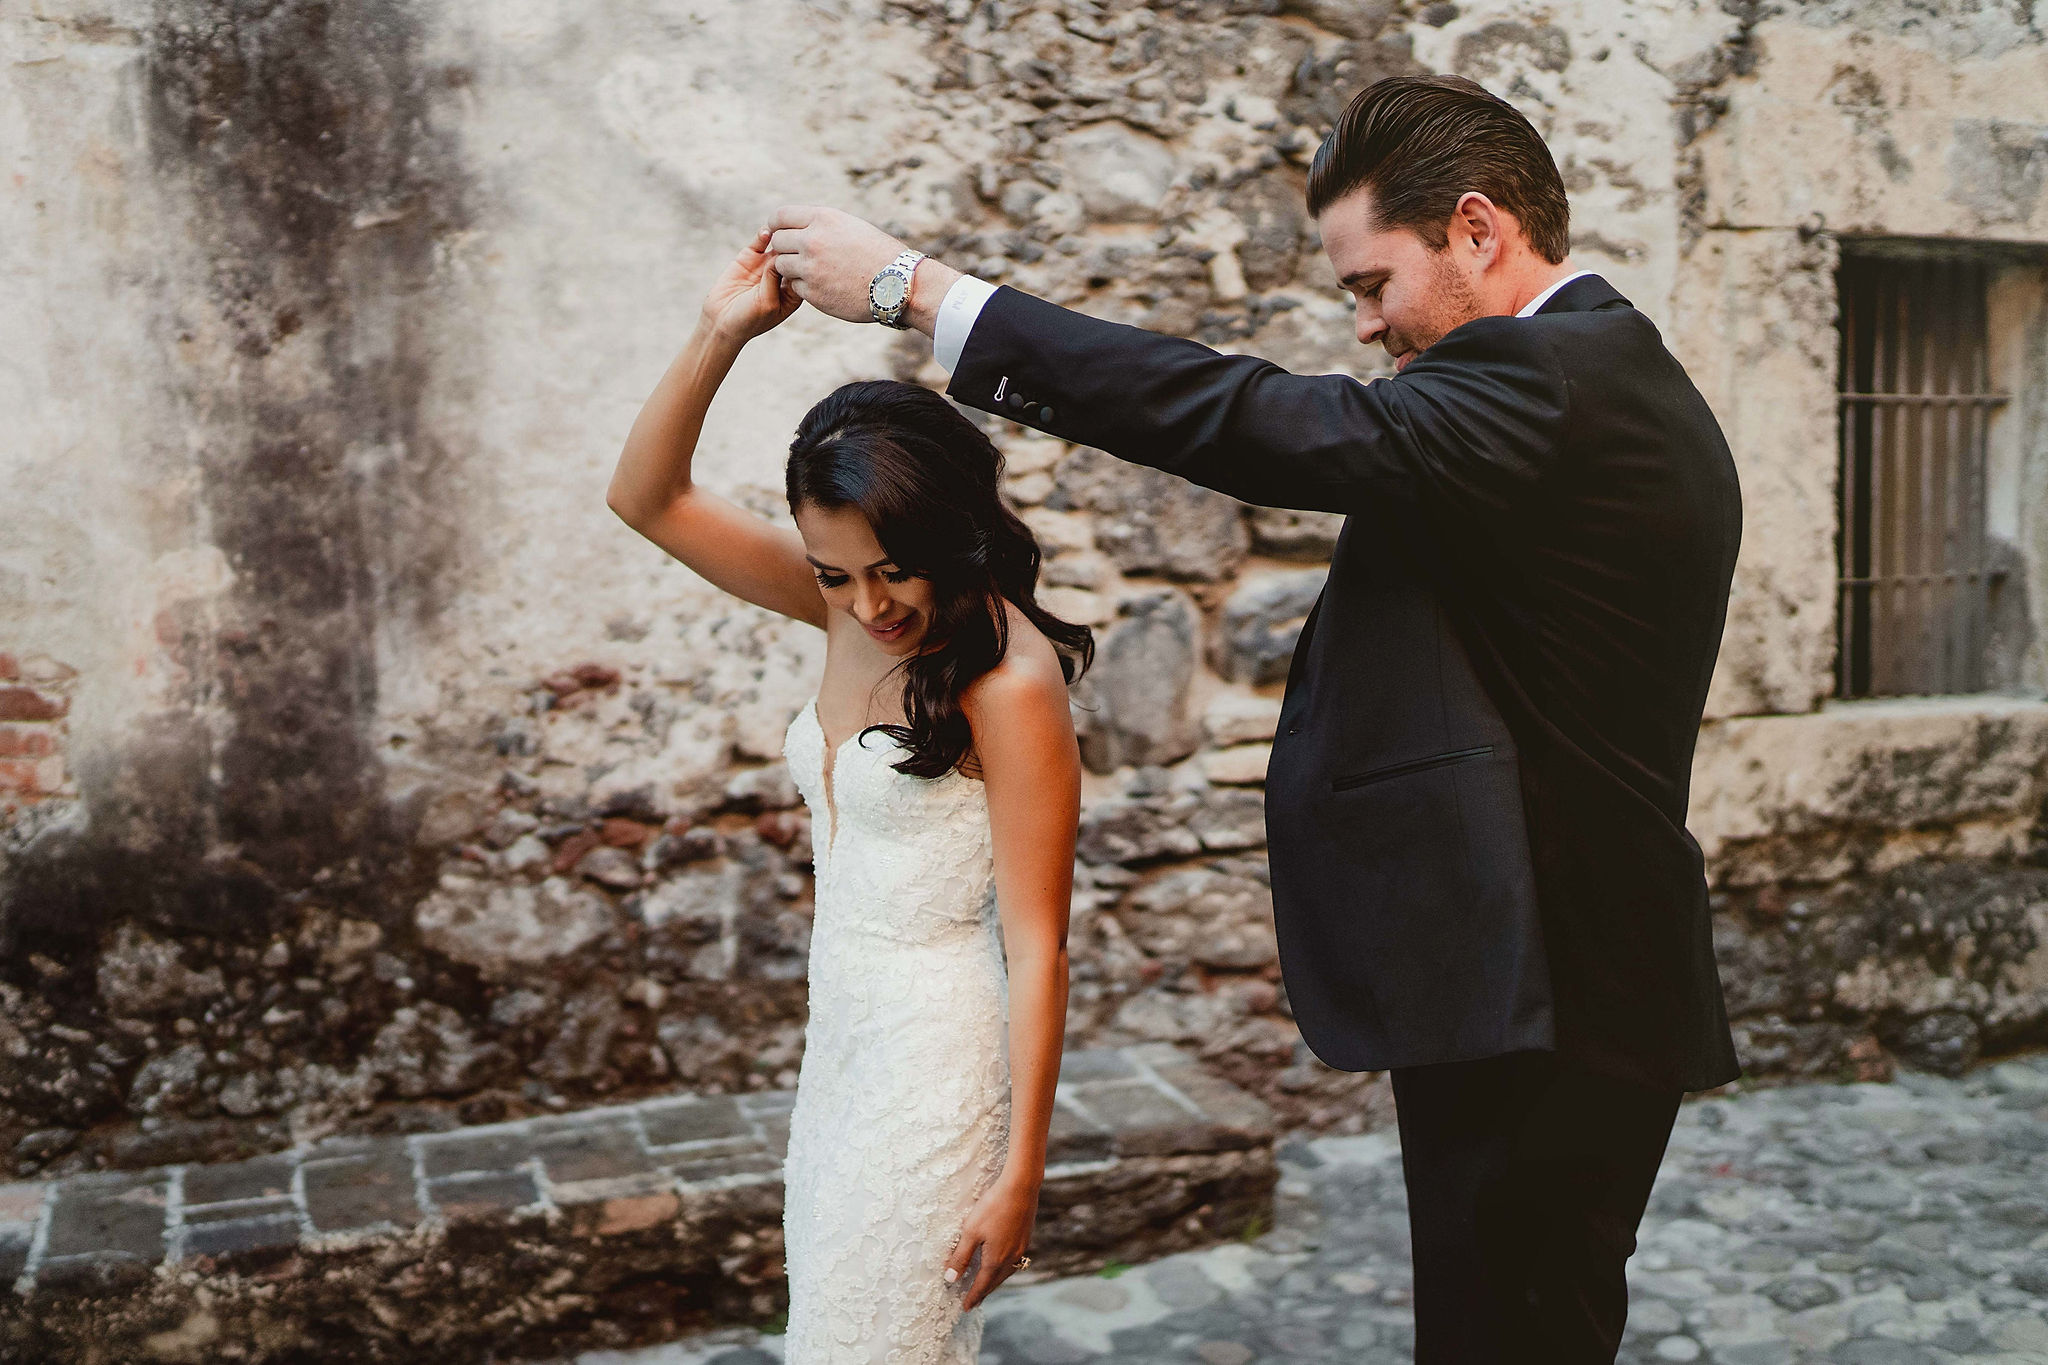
(1863, 1225)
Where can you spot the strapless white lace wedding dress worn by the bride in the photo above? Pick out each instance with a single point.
(902, 1114)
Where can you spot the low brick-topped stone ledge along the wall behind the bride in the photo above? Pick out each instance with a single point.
(591, 1229)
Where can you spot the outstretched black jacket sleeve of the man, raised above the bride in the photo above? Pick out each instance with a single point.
(1467, 427)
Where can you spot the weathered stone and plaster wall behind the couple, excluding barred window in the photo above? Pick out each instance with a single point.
(359, 768)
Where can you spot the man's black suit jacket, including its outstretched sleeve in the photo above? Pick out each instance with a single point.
(1478, 795)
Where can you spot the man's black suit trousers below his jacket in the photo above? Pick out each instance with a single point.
(1527, 1182)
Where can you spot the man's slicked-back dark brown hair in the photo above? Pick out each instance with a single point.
(1422, 142)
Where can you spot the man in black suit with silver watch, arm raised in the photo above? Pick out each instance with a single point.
(1478, 795)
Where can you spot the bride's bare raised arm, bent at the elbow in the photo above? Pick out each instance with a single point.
(652, 490)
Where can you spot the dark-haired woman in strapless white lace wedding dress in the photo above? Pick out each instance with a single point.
(943, 777)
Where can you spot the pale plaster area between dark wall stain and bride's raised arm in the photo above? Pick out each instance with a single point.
(622, 159)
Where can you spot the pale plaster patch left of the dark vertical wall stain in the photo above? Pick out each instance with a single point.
(97, 535)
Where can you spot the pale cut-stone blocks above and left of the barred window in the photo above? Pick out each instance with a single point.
(1916, 122)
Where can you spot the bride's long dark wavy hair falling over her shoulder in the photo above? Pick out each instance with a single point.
(929, 484)
